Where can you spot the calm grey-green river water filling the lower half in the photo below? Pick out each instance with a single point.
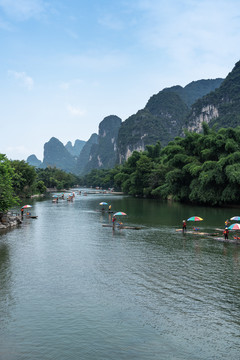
(73, 289)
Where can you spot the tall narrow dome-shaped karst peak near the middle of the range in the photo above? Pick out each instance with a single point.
(104, 153)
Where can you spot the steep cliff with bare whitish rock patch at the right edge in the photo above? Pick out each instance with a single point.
(220, 107)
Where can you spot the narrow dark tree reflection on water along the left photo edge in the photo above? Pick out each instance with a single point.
(5, 275)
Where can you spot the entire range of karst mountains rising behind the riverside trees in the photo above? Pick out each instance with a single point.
(165, 116)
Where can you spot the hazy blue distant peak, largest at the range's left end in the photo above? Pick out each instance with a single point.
(55, 154)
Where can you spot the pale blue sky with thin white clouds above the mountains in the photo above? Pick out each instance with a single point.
(67, 64)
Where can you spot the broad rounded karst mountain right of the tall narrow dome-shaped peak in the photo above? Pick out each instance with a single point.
(161, 119)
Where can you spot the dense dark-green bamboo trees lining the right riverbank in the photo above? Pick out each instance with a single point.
(198, 168)
